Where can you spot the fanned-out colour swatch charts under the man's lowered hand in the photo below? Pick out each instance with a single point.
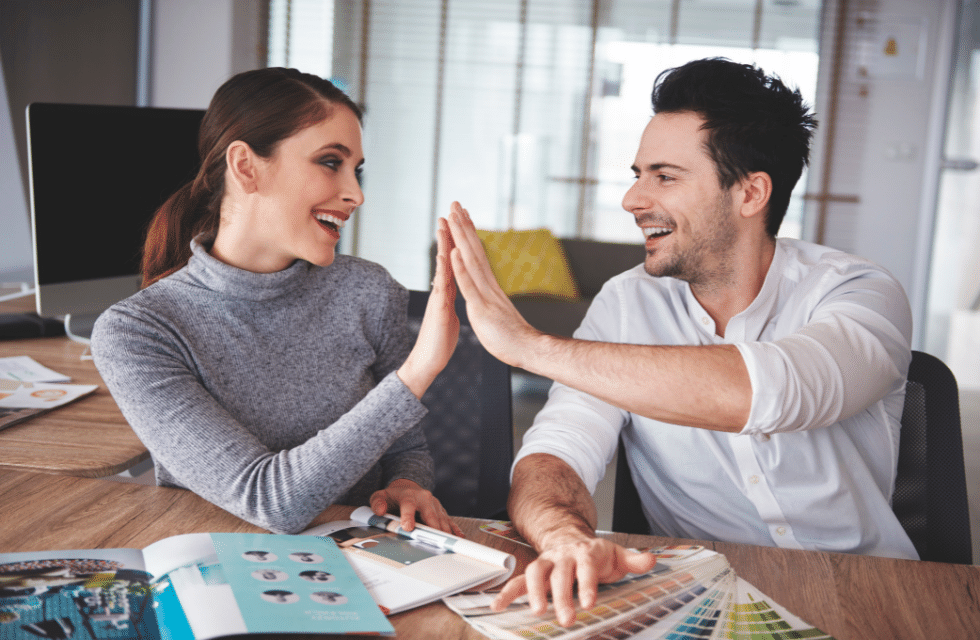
(692, 593)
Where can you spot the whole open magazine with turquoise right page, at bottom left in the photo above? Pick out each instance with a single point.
(188, 587)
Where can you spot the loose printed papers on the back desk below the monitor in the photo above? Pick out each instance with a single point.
(28, 388)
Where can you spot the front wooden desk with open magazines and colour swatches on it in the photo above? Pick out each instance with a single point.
(849, 597)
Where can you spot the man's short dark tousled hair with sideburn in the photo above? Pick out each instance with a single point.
(754, 123)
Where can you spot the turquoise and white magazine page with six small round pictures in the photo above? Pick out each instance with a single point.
(231, 583)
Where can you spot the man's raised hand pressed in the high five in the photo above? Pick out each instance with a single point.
(497, 323)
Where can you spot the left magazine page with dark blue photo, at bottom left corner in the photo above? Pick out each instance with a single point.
(80, 594)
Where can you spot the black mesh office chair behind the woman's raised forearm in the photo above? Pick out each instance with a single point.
(469, 426)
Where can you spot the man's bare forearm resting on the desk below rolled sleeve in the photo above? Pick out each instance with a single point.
(549, 503)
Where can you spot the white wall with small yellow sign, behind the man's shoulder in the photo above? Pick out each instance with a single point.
(889, 136)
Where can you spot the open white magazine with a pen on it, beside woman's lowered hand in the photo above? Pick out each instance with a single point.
(403, 569)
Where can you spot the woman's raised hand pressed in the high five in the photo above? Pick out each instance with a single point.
(440, 326)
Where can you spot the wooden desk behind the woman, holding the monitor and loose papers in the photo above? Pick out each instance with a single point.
(88, 437)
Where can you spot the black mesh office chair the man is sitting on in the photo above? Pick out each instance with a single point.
(930, 488)
